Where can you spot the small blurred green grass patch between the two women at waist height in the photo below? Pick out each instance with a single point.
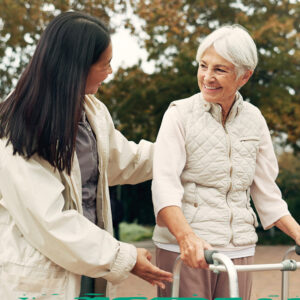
(134, 232)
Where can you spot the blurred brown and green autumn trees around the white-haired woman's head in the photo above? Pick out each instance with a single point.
(173, 33)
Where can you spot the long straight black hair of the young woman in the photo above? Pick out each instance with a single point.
(41, 115)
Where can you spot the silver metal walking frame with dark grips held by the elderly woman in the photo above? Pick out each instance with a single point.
(219, 262)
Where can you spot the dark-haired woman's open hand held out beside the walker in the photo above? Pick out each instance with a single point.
(147, 271)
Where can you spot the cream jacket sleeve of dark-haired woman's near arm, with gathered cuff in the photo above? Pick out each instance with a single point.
(33, 196)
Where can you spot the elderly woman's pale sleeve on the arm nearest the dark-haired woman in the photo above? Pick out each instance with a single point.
(169, 161)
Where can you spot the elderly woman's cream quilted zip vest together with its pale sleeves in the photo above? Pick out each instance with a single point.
(218, 166)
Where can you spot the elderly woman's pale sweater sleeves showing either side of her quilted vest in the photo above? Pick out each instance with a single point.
(170, 160)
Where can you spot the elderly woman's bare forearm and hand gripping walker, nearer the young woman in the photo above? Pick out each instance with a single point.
(191, 246)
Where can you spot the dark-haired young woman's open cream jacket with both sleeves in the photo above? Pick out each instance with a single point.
(46, 244)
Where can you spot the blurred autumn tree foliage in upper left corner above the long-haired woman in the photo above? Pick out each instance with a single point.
(22, 22)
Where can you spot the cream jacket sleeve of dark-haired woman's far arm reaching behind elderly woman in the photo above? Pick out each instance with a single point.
(129, 163)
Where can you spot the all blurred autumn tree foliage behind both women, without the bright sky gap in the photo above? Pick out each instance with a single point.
(172, 33)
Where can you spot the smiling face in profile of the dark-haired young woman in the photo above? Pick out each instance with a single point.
(99, 71)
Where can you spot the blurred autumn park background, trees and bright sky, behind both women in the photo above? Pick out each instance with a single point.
(167, 34)
